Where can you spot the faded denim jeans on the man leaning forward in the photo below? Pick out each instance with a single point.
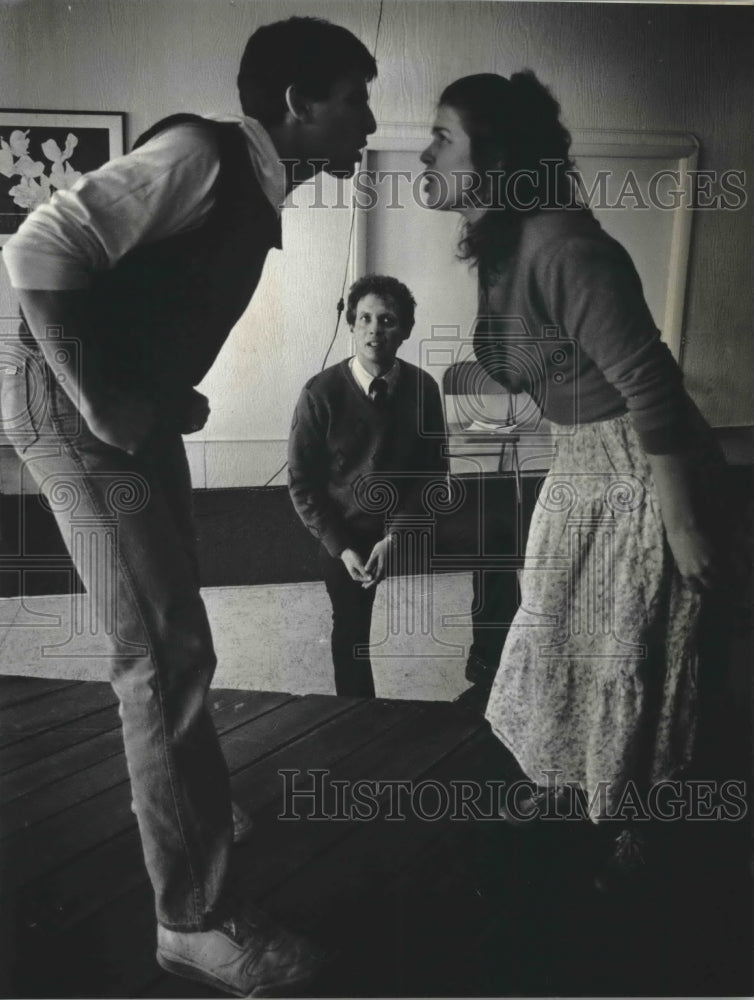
(128, 524)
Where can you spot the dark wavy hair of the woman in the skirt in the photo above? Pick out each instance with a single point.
(515, 132)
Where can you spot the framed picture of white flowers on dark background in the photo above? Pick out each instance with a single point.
(45, 151)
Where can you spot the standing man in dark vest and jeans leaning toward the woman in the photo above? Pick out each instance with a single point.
(145, 265)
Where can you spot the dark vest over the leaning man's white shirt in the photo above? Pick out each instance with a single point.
(164, 311)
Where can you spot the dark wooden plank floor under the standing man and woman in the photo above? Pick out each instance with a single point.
(413, 907)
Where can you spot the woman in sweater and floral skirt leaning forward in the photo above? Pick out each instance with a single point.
(597, 686)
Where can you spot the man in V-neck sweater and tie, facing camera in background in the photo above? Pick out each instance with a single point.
(367, 427)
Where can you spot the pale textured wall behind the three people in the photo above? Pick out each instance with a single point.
(666, 68)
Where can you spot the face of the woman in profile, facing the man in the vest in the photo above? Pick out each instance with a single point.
(449, 175)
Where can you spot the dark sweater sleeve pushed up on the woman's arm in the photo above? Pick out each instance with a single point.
(594, 290)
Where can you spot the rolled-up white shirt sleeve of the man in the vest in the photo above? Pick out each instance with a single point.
(161, 189)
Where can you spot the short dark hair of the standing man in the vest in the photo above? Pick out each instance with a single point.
(307, 52)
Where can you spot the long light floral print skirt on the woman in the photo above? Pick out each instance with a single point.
(597, 680)
